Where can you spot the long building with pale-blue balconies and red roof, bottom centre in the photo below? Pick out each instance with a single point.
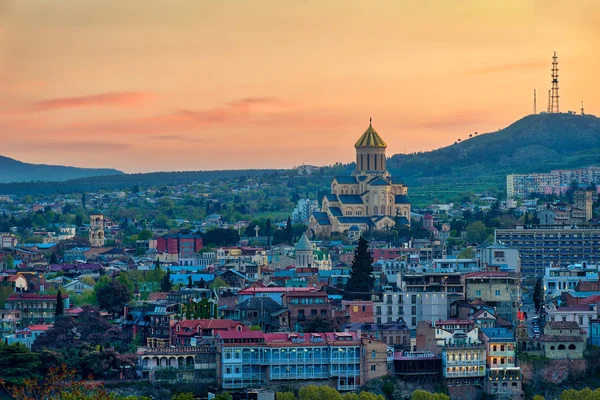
(252, 358)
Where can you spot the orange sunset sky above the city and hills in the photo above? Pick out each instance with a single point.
(164, 85)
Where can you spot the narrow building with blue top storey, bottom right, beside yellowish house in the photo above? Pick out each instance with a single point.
(504, 377)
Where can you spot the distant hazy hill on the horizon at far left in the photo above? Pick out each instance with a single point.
(12, 170)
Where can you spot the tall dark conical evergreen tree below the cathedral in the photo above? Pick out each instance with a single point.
(361, 281)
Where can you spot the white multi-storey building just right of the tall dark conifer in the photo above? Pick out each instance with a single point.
(411, 307)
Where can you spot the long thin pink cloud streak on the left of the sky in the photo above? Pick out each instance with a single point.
(117, 99)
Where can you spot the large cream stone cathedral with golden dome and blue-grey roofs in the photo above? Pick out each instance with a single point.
(368, 199)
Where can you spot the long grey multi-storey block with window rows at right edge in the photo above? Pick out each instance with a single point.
(539, 248)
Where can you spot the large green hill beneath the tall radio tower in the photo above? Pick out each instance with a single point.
(536, 143)
